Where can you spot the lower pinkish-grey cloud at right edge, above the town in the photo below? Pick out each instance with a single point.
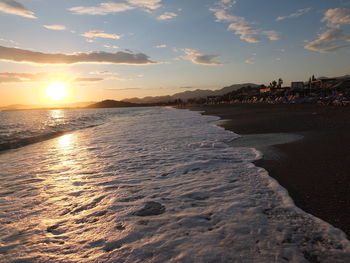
(328, 41)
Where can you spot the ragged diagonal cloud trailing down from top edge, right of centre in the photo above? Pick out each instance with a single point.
(247, 31)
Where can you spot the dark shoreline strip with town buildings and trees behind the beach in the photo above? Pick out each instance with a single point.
(324, 91)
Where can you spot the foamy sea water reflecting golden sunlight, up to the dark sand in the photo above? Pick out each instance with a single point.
(145, 185)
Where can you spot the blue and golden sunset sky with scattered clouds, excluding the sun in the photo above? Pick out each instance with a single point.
(136, 48)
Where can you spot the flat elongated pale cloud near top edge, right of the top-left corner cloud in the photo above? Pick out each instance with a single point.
(102, 9)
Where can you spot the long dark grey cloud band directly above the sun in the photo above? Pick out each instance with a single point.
(21, 55)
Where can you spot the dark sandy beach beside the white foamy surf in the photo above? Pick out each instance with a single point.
(316, 169)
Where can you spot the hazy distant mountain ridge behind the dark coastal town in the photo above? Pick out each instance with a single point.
(190, 94)
